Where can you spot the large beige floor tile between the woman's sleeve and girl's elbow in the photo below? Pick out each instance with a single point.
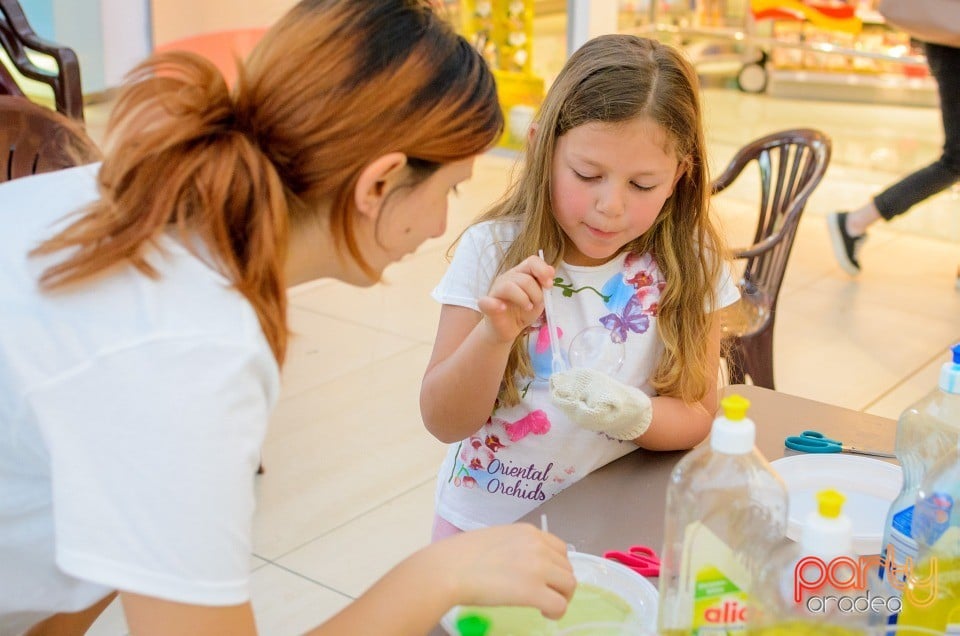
(341, 449)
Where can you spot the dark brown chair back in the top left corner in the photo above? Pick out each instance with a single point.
(17, 40)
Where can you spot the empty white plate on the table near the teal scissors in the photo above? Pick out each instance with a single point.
(869, 485)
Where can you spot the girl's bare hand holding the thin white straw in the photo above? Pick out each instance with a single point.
(515, 299)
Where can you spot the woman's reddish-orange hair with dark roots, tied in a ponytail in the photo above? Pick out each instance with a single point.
(332, 86)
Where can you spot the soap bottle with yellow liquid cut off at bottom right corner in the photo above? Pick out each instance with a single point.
(932, 597)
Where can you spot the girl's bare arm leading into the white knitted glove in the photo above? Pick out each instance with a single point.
(677, 425)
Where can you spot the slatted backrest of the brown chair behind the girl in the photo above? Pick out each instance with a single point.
(791, 164)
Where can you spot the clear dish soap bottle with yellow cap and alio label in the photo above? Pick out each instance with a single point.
(726, 509)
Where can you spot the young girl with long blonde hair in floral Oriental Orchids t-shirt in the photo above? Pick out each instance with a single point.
(615, 192)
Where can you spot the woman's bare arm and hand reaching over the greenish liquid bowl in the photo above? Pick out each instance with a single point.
(502, 565)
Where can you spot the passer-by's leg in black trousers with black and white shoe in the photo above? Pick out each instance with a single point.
(848, 229)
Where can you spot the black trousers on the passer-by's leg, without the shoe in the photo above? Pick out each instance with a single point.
(944, 64)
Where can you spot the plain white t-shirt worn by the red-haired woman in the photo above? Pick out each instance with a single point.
(132, 413)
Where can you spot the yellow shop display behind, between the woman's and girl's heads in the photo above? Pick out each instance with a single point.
(502, 30)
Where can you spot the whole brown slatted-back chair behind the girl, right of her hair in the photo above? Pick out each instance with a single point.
(791, 164)
